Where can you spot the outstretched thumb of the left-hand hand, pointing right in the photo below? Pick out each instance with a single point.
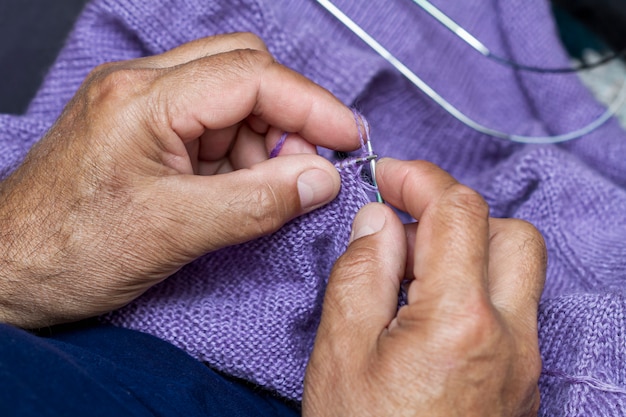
(212, 212)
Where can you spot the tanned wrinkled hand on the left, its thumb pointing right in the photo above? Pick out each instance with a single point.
(108, 203)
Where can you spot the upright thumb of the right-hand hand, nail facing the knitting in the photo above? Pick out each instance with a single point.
(362, 294)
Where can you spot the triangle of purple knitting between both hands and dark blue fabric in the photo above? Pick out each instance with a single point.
(254, 319)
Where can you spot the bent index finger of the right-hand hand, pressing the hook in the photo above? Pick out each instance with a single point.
(450, 258)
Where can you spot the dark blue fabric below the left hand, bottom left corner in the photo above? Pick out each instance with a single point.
(94, 370)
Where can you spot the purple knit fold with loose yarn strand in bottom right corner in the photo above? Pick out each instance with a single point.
(584, 351)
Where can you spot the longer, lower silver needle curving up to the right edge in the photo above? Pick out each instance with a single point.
(456, 113)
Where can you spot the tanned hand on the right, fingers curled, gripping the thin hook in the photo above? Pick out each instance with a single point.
(466, 342)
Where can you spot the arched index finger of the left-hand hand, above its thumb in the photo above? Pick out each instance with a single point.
(222, 90)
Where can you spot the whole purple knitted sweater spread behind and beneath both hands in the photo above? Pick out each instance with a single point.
(252, 310)
